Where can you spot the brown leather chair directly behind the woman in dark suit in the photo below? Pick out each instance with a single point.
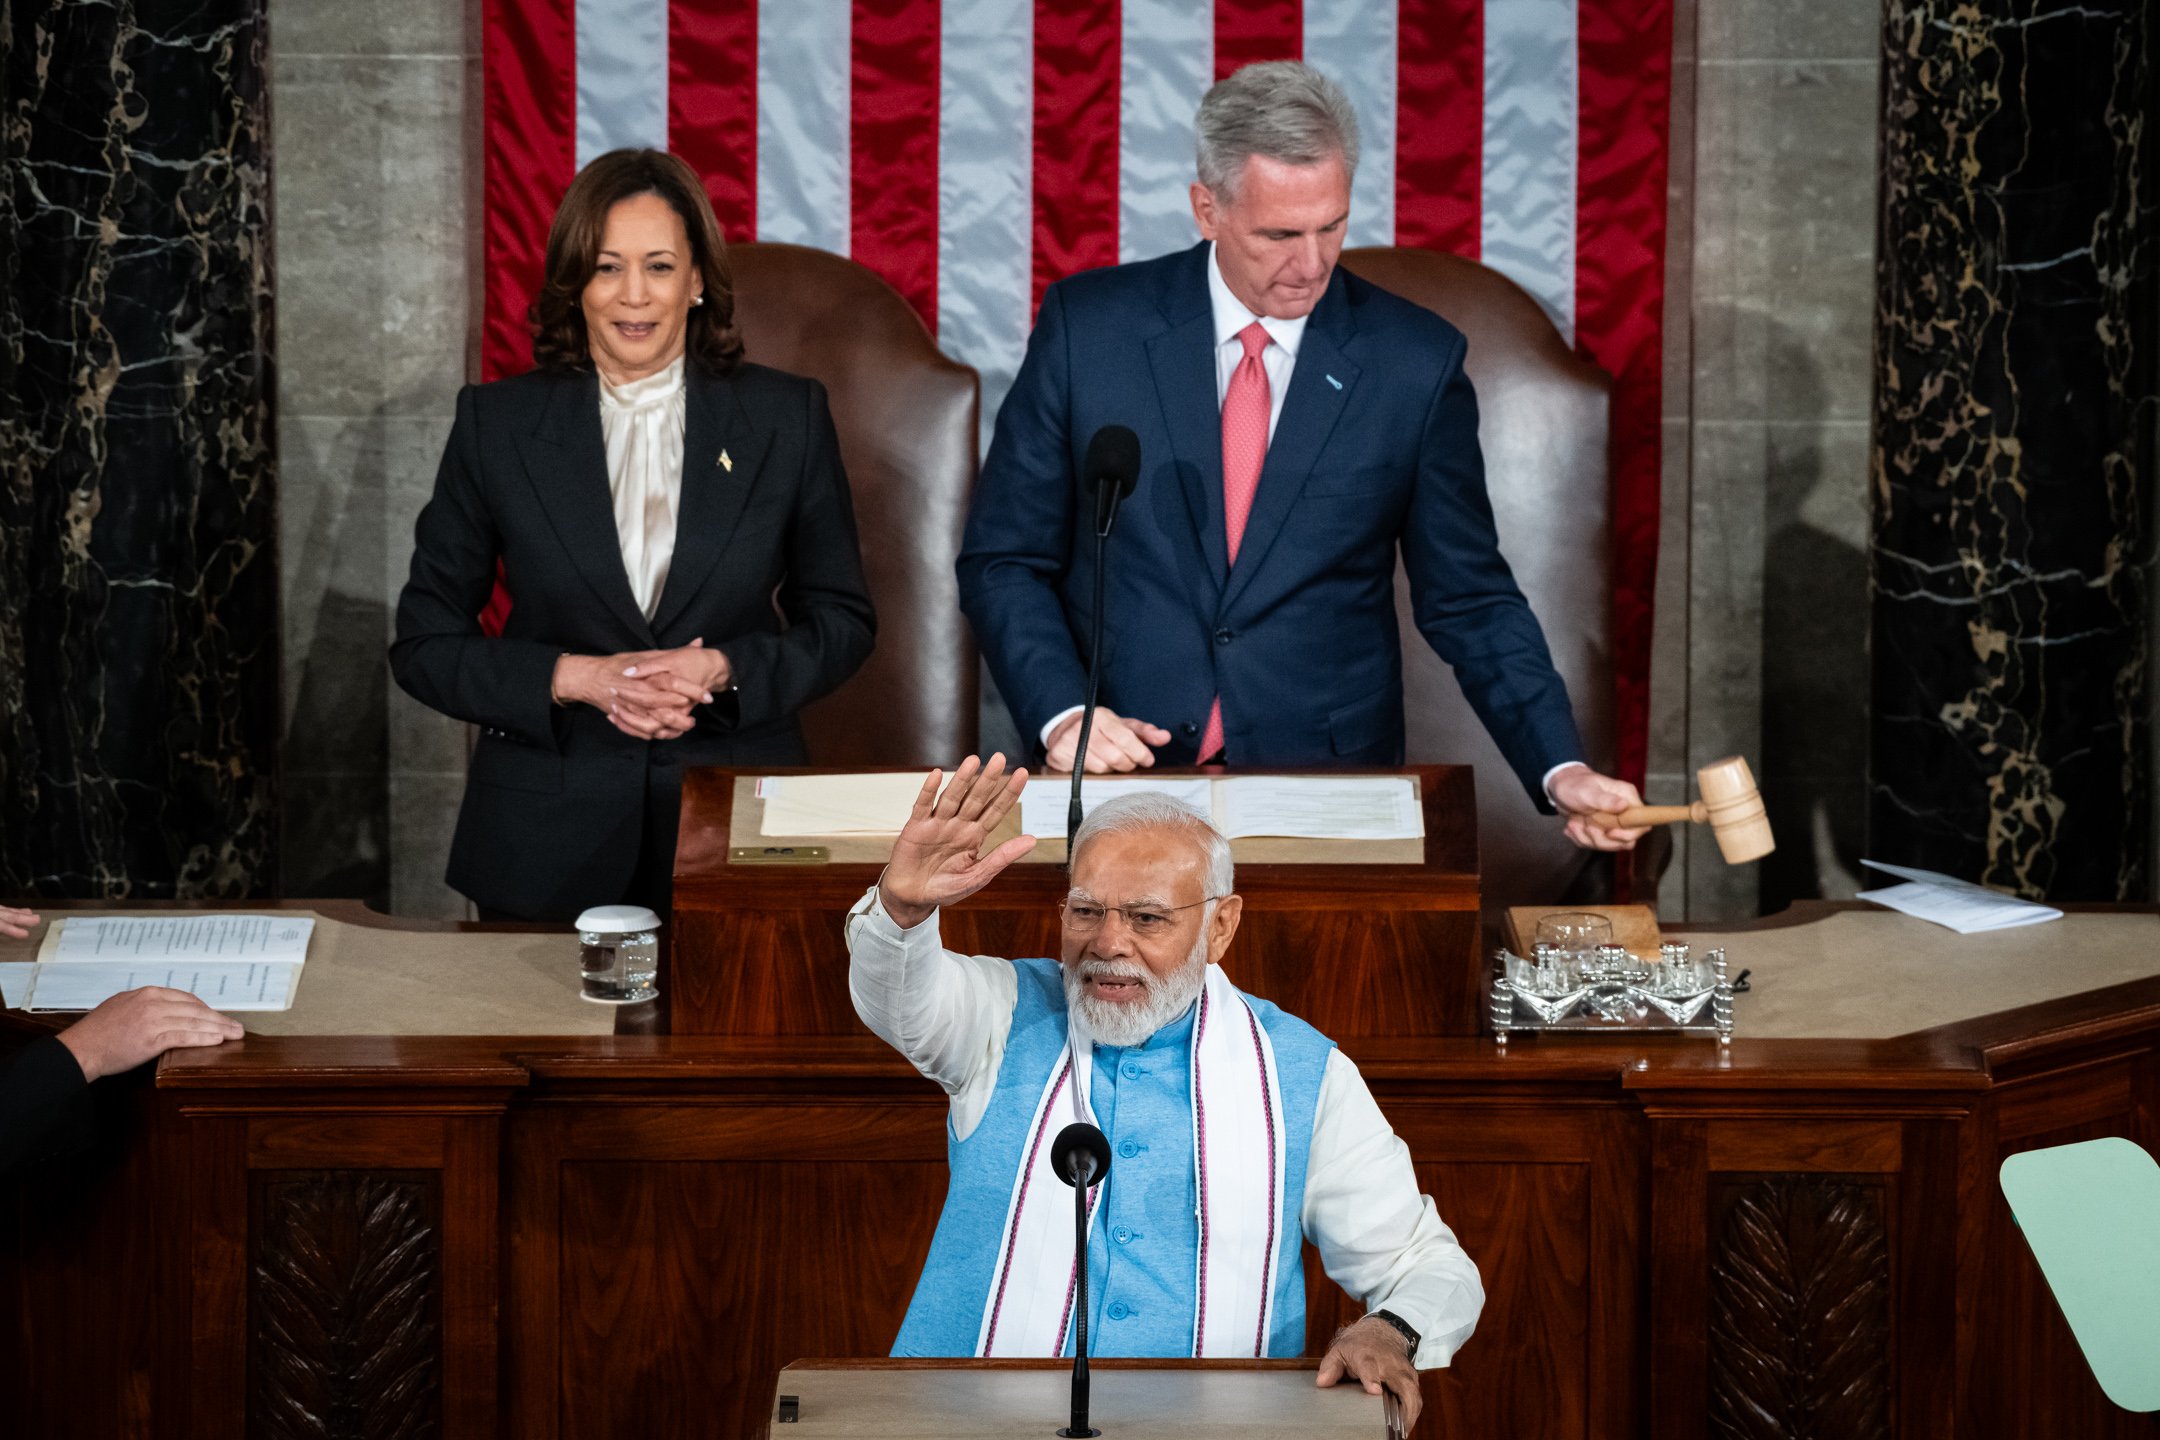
(908, 437)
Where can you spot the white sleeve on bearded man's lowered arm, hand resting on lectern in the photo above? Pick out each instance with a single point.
(1377, 1236)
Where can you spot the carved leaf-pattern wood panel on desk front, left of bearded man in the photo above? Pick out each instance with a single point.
(345, 1305)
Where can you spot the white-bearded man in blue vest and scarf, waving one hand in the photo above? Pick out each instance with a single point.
(1239, 1130)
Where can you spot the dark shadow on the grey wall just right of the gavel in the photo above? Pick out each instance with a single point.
(1815, 636)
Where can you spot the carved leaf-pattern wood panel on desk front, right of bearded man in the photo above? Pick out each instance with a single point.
(1800, 1309)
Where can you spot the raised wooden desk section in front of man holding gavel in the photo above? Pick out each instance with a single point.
(1381, 947)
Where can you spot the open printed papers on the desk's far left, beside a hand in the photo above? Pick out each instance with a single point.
(230, 962)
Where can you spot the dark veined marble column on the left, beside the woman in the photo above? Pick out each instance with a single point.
(137, 474)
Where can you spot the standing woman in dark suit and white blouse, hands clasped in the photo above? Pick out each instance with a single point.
(677, 545)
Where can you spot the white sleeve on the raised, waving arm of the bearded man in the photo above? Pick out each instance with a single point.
(949, 1014)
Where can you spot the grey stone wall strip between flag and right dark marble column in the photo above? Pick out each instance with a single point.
(1761, 608)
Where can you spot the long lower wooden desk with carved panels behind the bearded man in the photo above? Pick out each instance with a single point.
(558, 1238)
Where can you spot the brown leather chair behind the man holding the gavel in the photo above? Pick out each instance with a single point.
(1543, 422)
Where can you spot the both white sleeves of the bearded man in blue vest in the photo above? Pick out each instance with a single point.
(1377, 1236)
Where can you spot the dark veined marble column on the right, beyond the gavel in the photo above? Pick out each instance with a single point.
(2012, 472)
